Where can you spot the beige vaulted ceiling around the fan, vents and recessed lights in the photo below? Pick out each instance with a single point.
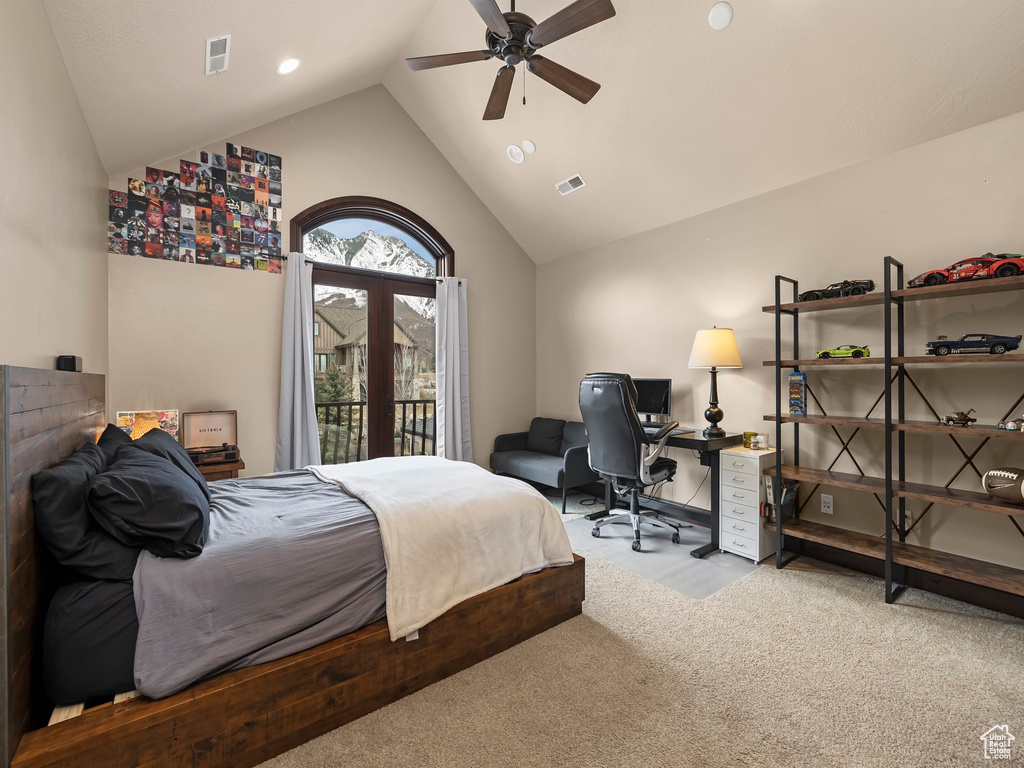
(688, 120)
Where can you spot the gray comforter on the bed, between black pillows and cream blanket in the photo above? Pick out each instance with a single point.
(290, 563)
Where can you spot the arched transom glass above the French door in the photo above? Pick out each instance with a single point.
(366, 244)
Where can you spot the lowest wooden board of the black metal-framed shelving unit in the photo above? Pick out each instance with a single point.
(945, 564)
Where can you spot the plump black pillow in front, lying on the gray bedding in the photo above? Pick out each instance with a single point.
(145, 501)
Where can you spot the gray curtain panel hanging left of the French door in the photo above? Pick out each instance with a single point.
(298, 442)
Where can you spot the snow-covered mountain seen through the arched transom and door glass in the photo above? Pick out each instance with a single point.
(370, 251)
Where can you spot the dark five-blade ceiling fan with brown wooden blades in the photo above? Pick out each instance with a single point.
(516, 37)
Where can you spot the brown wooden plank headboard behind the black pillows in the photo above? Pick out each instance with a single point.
(46, 416)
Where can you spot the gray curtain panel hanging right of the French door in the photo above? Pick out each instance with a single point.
(453, 371)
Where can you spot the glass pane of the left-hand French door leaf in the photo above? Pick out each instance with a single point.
(340, 373)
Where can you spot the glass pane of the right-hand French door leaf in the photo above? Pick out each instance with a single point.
(415, 378)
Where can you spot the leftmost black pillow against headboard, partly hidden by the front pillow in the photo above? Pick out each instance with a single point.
(65, 525)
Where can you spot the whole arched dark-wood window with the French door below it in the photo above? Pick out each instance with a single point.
(374, 285)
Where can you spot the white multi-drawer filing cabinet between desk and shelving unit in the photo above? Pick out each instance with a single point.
(742, 493)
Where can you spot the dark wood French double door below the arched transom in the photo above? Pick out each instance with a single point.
(374, 363)
